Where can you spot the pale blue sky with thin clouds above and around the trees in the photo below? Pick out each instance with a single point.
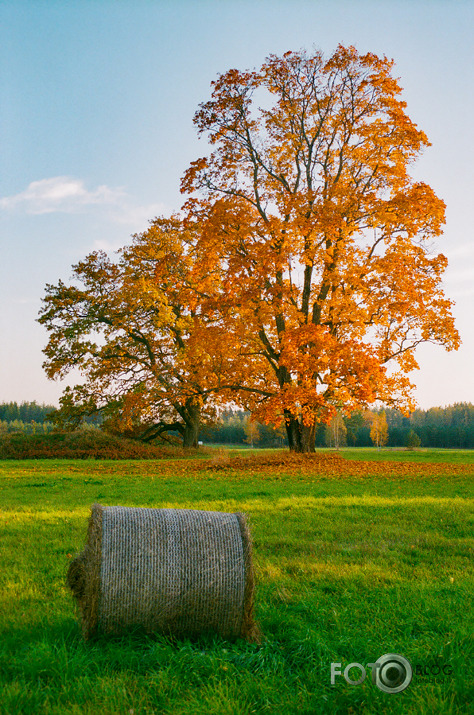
(98, 98)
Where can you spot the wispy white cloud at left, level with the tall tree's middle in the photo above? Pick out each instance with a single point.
(65, 194)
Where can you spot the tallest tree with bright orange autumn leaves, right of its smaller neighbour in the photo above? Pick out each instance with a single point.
(323, 237)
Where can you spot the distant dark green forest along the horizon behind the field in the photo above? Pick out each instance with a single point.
(450, 427)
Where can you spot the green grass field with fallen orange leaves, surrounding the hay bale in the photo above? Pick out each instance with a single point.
(356, 556)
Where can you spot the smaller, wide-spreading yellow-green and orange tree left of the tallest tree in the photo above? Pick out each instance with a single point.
(151, 358)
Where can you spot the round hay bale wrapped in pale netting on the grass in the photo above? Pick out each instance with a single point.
(169, 571)
